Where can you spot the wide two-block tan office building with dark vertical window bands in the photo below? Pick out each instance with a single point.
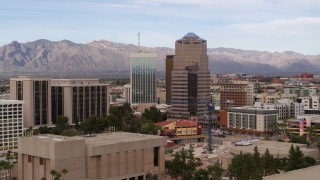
(46, 99)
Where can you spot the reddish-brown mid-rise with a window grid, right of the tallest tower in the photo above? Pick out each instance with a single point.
(236, 95)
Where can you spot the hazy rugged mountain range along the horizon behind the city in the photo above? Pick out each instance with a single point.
(66, 57)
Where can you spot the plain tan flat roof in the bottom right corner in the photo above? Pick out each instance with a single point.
(310, 173)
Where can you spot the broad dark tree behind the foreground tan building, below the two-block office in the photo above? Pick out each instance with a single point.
(93, 125)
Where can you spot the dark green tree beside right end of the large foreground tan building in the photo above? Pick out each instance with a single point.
(183, 164)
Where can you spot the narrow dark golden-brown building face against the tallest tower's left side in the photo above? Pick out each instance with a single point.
(169, 68)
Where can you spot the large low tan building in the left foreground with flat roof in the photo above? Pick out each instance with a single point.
(105, 156)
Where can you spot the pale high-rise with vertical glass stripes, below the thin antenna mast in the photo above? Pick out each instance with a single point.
(143, 78)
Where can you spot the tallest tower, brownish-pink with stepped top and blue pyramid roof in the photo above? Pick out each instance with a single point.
(190, 77)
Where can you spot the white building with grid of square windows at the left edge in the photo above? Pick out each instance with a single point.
(11, 124)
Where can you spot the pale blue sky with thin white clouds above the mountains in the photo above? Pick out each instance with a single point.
(265, 25)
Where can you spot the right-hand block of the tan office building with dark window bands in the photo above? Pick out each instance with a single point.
(79, 98)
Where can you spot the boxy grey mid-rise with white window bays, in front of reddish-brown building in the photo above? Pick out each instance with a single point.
(250, 119)
